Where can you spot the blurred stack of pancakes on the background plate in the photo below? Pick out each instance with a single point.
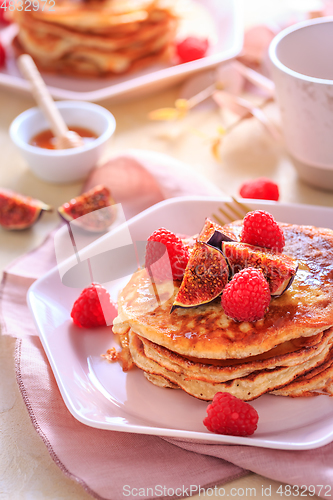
(97, 37)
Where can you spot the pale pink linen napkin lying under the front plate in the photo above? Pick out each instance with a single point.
(108, 463)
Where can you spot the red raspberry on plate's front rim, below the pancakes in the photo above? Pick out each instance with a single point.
(229, 415)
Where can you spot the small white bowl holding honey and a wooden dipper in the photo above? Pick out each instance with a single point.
(64, 165)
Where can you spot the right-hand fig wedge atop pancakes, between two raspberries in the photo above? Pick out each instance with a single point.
(279, 269)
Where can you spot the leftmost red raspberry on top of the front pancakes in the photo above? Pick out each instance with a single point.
(165, 249)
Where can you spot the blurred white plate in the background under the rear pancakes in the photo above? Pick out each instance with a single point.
(229, 34)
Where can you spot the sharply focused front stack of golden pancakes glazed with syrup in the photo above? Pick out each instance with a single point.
(202, 351)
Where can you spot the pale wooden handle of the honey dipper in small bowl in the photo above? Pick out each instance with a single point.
(42, 96)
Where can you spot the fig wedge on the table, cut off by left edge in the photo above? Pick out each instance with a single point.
(18, 211)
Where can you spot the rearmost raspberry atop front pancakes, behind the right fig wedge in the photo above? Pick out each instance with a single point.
(261, 229)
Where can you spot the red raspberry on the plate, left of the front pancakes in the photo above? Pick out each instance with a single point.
(92, 307)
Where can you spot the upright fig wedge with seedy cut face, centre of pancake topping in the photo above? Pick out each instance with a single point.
(205, 277)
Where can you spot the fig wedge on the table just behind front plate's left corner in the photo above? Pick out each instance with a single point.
(89, 204)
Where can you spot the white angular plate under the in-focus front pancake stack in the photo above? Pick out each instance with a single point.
(100, 394)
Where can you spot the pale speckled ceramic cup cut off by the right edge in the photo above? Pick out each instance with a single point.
(301, 57)
